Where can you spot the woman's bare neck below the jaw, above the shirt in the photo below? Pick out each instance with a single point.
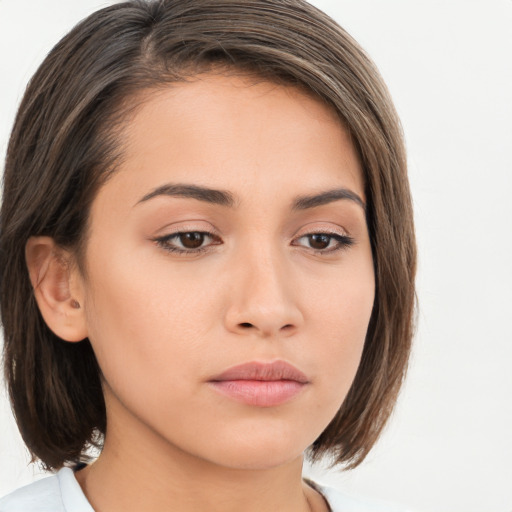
(144, 473)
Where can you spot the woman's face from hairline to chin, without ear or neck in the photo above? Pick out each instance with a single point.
(233, 234)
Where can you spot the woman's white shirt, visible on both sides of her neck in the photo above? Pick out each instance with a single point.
(62, 493)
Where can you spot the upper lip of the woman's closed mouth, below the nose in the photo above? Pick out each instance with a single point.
(273, 371)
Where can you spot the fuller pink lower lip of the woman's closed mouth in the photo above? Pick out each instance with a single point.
(259, 393)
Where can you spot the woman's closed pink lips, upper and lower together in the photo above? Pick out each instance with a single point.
(260, 384)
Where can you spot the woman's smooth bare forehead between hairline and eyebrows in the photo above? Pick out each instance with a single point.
(235, 133)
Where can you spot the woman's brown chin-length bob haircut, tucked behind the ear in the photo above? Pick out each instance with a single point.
(65, 144)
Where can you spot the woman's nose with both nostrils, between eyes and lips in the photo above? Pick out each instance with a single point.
(263, 299)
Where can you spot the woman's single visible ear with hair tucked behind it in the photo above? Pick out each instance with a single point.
(58, 288)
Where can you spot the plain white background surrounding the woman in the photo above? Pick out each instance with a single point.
(448, 65)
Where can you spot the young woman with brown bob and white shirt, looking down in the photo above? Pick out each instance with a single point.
(207, 258)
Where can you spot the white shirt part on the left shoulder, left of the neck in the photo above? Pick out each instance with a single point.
(58, 493)
